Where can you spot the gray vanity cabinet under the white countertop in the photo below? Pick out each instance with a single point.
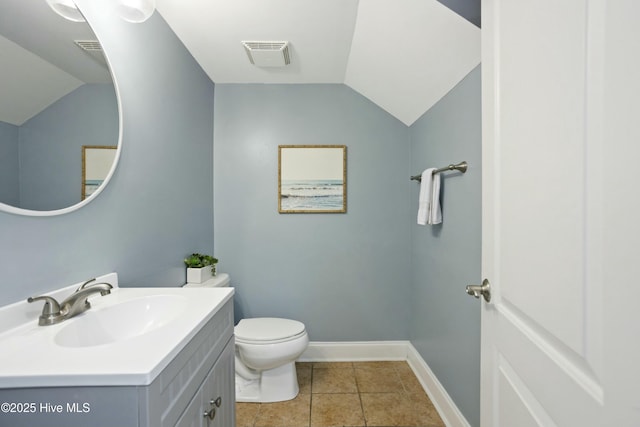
(179, 396)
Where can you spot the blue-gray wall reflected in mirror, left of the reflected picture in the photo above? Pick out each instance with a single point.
(51, 145)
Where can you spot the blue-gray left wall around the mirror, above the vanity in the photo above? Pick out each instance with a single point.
(159, 205)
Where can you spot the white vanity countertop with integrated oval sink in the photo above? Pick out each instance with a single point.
(126, 338)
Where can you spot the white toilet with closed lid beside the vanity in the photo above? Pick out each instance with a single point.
(266, 351)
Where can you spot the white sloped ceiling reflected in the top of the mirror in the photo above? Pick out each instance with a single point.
(40, 61)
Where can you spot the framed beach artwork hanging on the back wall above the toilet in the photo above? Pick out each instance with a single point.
(312, 178)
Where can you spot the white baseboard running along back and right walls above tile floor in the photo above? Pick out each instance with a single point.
(390, 350)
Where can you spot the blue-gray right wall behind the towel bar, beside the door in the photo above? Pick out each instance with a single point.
(445, 321)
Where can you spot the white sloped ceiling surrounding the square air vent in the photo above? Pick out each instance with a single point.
(403, 55)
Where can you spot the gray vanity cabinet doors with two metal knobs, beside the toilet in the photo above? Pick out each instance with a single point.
(214, 403)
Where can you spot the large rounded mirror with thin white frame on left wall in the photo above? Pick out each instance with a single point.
(59, 112)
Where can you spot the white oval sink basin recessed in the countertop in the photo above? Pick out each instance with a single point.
(121, 321)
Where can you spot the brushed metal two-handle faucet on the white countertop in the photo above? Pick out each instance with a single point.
(54, 312)
